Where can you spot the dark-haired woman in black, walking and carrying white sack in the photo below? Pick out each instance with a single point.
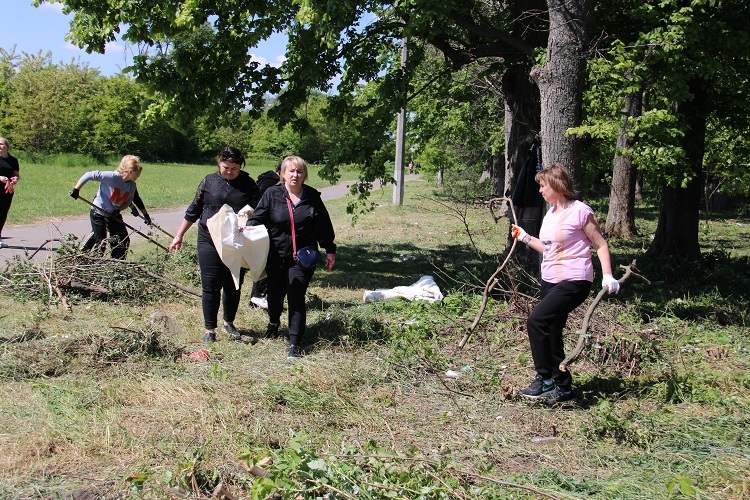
(229, 185)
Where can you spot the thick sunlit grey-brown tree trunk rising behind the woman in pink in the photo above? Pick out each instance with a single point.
(561, 81)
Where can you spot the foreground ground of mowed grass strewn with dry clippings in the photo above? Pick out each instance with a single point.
(102, 400)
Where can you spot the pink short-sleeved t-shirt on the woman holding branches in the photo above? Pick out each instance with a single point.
(567, 249)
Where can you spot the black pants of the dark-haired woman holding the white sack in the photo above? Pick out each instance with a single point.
(215, 278)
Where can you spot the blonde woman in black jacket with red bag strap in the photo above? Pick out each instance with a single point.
(312, 226)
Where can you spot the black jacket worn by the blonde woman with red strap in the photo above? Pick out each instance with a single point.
(312, 224)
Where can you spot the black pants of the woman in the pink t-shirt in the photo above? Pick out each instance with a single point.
(545, 326)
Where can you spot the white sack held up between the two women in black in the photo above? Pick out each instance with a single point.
(237, 249)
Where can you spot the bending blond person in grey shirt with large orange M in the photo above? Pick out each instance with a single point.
(117, 190)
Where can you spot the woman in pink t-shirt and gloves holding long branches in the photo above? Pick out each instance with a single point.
(568, 231)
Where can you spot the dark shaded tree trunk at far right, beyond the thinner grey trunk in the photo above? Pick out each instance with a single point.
(677, 230)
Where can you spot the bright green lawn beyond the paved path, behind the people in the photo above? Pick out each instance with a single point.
(43, 190)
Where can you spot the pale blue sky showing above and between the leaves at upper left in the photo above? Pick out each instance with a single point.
(32, 29)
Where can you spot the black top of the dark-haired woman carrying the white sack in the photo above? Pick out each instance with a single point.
(215, 191)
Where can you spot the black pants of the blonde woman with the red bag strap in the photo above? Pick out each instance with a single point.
(287, 278)
